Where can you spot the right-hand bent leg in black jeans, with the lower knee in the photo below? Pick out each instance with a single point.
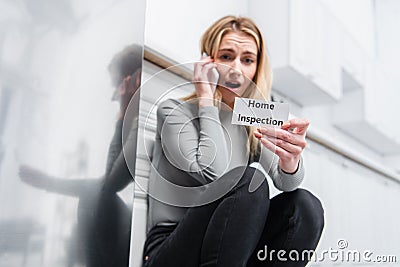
(294, 224)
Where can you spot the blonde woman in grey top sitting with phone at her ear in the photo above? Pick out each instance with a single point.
(196, 144)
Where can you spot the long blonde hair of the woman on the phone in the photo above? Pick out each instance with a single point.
(262, 80)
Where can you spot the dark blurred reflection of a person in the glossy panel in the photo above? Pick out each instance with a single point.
(102, 234)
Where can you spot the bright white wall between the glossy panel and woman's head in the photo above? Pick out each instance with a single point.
(174, 27)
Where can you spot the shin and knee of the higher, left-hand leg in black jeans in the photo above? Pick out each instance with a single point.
(236, 225)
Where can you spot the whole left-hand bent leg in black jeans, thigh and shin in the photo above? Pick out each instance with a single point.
(222, 233)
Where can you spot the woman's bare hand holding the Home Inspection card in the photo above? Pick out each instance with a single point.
(287, 142)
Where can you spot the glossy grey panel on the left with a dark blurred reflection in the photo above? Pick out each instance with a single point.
(65, 189)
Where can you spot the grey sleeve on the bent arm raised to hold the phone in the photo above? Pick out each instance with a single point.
(194, 143)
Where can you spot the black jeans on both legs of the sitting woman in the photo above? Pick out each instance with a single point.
(240, 229)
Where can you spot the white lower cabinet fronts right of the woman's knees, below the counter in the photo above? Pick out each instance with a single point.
(360, 205)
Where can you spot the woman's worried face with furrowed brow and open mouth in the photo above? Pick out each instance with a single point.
(237, 64)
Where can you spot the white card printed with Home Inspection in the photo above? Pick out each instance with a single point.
(255, 112)
